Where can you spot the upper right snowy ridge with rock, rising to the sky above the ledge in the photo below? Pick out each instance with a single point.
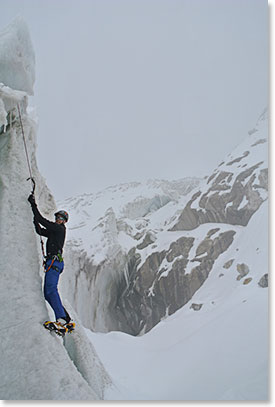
(236, 188)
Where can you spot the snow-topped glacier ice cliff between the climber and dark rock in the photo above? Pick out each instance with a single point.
(103, 228)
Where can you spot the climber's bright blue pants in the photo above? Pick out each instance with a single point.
(50, 288)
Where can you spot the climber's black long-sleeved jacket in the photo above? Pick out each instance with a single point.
(53, 231)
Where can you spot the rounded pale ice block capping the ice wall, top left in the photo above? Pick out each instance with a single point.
(17, 59)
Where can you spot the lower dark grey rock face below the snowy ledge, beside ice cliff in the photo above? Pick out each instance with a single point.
(156, 290)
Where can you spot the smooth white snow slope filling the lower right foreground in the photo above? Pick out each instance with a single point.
(217, 353)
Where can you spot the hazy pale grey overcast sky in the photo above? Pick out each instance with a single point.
(128, 90)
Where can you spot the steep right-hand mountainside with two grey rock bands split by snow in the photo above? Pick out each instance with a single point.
(180, 260)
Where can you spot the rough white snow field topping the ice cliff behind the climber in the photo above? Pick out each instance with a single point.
(136, 205)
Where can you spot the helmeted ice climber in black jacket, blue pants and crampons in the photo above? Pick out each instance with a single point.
(54, 264)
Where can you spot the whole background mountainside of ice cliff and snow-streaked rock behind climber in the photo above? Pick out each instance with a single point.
(139, 252)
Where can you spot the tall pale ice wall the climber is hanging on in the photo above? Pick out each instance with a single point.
(35, 365)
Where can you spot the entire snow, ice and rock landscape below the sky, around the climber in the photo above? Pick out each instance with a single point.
(167, 281)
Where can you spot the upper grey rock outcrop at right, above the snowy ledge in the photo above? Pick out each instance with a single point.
(222, 201)
